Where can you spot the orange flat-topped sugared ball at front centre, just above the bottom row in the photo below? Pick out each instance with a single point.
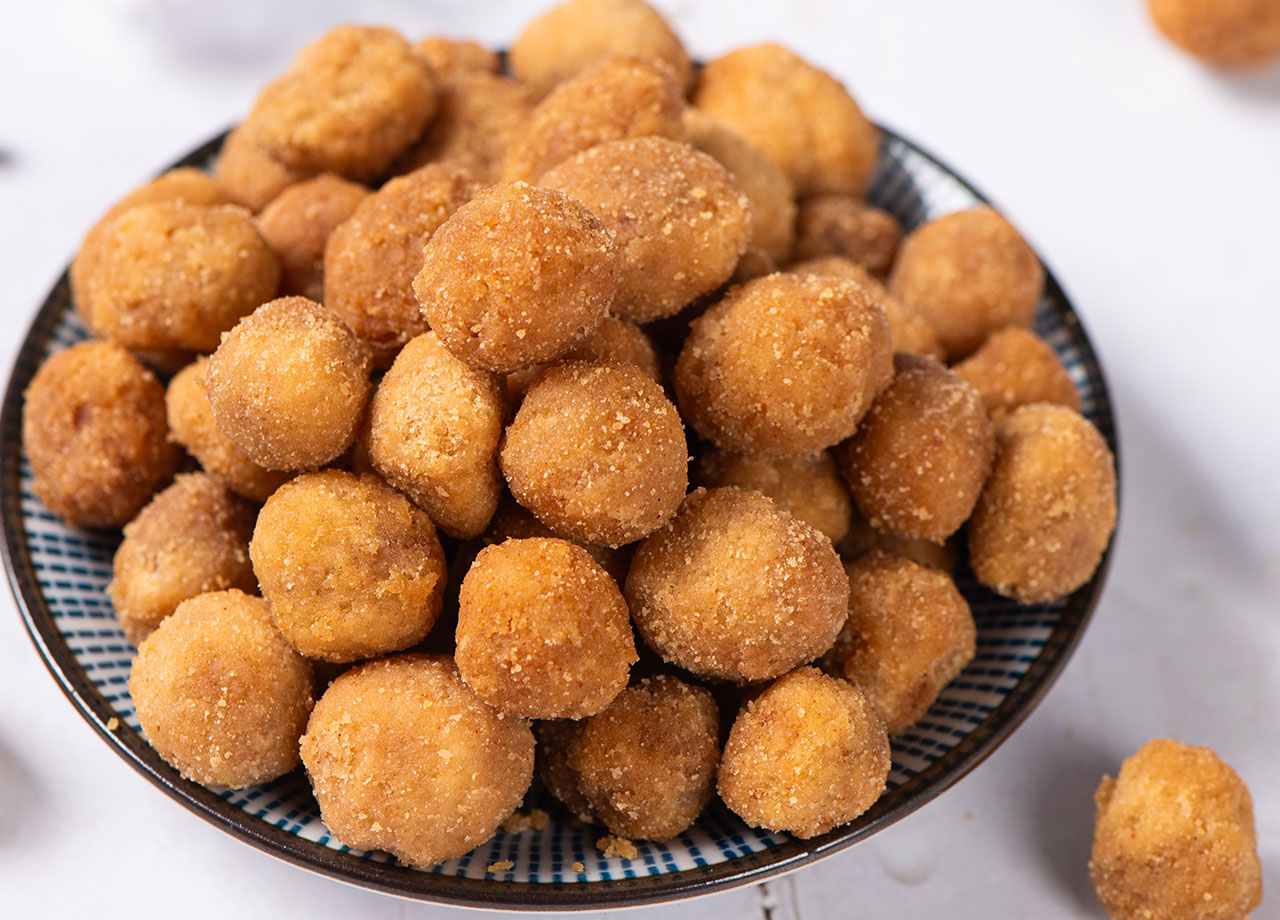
(543, 630)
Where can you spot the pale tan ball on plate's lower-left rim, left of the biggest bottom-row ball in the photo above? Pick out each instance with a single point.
(220, 693)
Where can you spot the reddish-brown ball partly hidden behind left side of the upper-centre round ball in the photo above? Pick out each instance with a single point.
(372, 259)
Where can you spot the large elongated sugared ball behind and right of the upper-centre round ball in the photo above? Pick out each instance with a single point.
(679, 219)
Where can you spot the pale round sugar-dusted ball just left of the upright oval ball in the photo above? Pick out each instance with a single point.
(289, 385)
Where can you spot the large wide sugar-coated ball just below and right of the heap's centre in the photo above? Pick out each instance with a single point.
(738, 589)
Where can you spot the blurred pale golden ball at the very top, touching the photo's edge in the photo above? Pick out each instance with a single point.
(573, 36)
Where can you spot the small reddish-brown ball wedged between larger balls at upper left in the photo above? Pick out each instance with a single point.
(298, 226)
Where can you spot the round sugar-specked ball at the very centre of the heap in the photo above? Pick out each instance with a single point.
(598, 454)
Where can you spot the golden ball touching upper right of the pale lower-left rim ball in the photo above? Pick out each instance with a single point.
(351, 567)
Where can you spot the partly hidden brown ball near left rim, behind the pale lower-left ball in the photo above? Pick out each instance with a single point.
(193, 538)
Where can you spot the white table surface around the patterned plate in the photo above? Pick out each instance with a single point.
(1151, 185)
